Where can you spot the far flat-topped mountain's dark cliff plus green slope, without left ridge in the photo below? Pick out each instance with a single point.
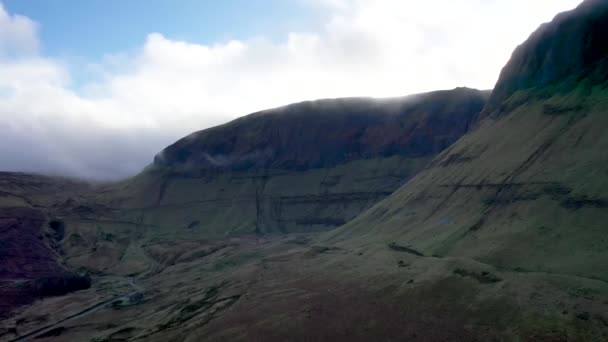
(301, 168)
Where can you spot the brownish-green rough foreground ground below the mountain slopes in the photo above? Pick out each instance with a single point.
(292, 288)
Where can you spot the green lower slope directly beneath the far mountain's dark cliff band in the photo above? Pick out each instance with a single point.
(221, 204)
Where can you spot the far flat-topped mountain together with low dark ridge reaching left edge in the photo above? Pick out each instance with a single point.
(301, 168)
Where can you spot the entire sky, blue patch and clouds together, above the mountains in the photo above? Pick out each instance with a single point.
(94, 89)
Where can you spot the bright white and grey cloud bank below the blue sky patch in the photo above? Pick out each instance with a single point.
(169, 88)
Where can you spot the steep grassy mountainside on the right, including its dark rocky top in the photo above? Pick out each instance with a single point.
(527, 190)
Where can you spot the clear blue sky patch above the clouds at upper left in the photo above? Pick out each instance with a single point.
(92, 28)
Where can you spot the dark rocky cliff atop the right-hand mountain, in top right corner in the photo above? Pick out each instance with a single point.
(571, 49)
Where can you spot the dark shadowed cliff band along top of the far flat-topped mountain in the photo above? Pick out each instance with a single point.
(326, 133)
